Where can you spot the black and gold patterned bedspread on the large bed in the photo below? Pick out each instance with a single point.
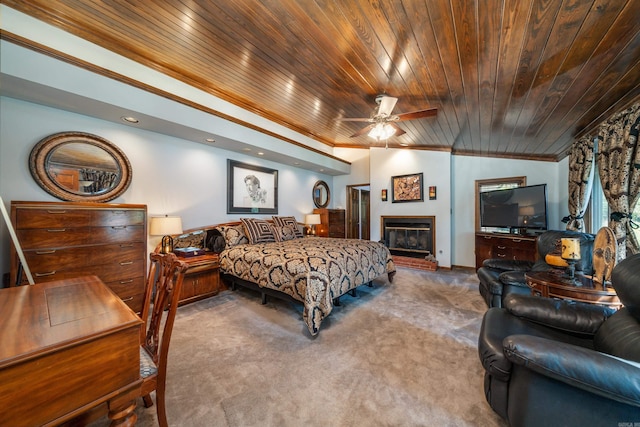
(312, 270)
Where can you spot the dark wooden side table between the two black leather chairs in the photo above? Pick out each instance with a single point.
(554, 285)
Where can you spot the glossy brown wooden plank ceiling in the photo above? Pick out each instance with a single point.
(510, 78)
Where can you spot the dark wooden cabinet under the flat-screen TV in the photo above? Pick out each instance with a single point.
(505, 246)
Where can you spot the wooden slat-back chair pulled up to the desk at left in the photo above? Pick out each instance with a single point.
(163, 286)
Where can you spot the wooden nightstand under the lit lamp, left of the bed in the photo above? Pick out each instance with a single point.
(202, 279)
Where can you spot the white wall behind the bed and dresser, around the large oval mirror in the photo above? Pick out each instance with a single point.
(170, 175)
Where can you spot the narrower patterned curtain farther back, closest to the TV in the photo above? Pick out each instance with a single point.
(580, 181)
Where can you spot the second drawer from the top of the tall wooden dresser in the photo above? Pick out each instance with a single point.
(53, 237)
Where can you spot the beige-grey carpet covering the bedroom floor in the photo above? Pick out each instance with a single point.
(399, 354)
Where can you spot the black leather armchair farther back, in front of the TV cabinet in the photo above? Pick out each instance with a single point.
(501, 277)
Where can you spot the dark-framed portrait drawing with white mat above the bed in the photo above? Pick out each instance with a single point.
(251, 189)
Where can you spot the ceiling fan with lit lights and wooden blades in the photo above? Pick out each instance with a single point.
(383, 123)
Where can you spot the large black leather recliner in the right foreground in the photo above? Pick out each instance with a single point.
(550, 362)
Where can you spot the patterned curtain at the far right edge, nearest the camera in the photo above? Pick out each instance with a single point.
(619, 168)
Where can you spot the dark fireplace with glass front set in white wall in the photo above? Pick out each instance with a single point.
(409, 236)
